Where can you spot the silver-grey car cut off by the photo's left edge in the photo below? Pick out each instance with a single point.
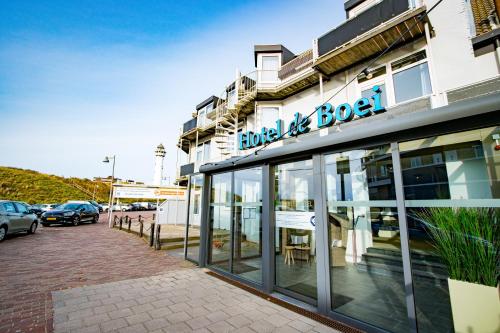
(16, 217)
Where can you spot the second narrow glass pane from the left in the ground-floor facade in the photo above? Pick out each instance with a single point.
(220, 221)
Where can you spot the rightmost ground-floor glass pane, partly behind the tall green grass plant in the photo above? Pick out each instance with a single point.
(449, 171)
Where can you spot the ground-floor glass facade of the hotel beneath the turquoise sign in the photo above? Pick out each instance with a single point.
(365, 223)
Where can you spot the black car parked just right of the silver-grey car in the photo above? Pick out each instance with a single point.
(70, 213)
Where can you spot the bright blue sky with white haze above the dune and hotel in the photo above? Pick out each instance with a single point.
(83, 79)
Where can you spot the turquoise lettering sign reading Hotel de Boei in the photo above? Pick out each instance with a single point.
(327, 115)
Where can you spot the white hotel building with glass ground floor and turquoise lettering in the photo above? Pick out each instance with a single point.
(324, 211)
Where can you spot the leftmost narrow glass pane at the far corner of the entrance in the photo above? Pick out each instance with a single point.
(193, 232)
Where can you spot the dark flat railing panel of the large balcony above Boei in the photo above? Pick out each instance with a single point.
(360, 24)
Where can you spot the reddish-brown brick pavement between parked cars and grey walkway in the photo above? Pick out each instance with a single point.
(58, 258)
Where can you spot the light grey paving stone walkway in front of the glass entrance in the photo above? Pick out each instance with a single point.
(185, 300)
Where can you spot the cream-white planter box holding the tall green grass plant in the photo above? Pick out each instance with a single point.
(475, 307)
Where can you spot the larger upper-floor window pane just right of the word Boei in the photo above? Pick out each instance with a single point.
(411, 77)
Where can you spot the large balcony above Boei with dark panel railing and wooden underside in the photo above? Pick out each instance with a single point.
(367, 35)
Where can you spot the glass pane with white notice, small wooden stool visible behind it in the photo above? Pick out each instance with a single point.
(295, 240)
